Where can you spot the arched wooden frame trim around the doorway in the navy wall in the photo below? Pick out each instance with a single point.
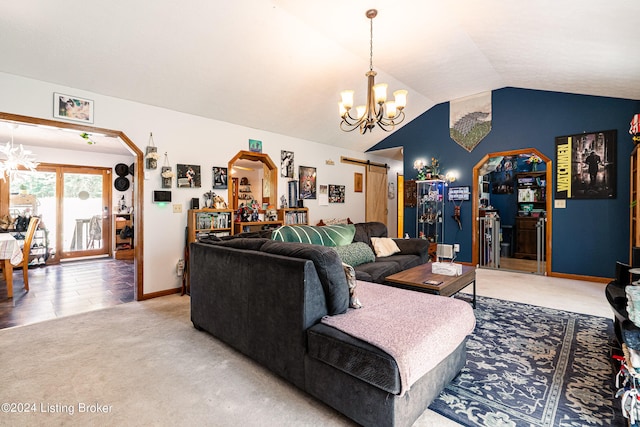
(479, 170)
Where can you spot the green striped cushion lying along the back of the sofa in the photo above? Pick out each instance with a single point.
(328, 235)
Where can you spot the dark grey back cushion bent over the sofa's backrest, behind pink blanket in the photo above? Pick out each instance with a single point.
(328, 266)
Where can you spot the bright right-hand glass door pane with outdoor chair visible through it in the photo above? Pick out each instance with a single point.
(83, 219)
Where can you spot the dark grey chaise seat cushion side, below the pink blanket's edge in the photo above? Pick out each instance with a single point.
(354, 356)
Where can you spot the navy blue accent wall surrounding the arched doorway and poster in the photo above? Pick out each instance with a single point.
(589, 235)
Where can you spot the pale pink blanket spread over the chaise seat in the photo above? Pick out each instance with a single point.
(418, 330)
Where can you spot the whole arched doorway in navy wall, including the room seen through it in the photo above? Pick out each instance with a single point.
(513, 212)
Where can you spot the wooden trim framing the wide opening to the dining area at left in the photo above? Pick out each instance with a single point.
(138, 191)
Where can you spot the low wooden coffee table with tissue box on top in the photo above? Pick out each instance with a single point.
(415, 278)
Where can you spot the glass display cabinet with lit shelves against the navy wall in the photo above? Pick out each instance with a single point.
(430, 209)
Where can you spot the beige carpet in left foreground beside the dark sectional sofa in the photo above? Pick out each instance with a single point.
(143, 363)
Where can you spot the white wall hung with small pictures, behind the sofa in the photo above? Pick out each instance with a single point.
(192, 139)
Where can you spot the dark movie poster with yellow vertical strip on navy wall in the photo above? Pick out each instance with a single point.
(586, 166)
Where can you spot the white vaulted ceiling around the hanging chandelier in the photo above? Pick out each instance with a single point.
(280, 65)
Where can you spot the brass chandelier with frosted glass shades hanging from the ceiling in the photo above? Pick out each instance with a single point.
(378, 110)
